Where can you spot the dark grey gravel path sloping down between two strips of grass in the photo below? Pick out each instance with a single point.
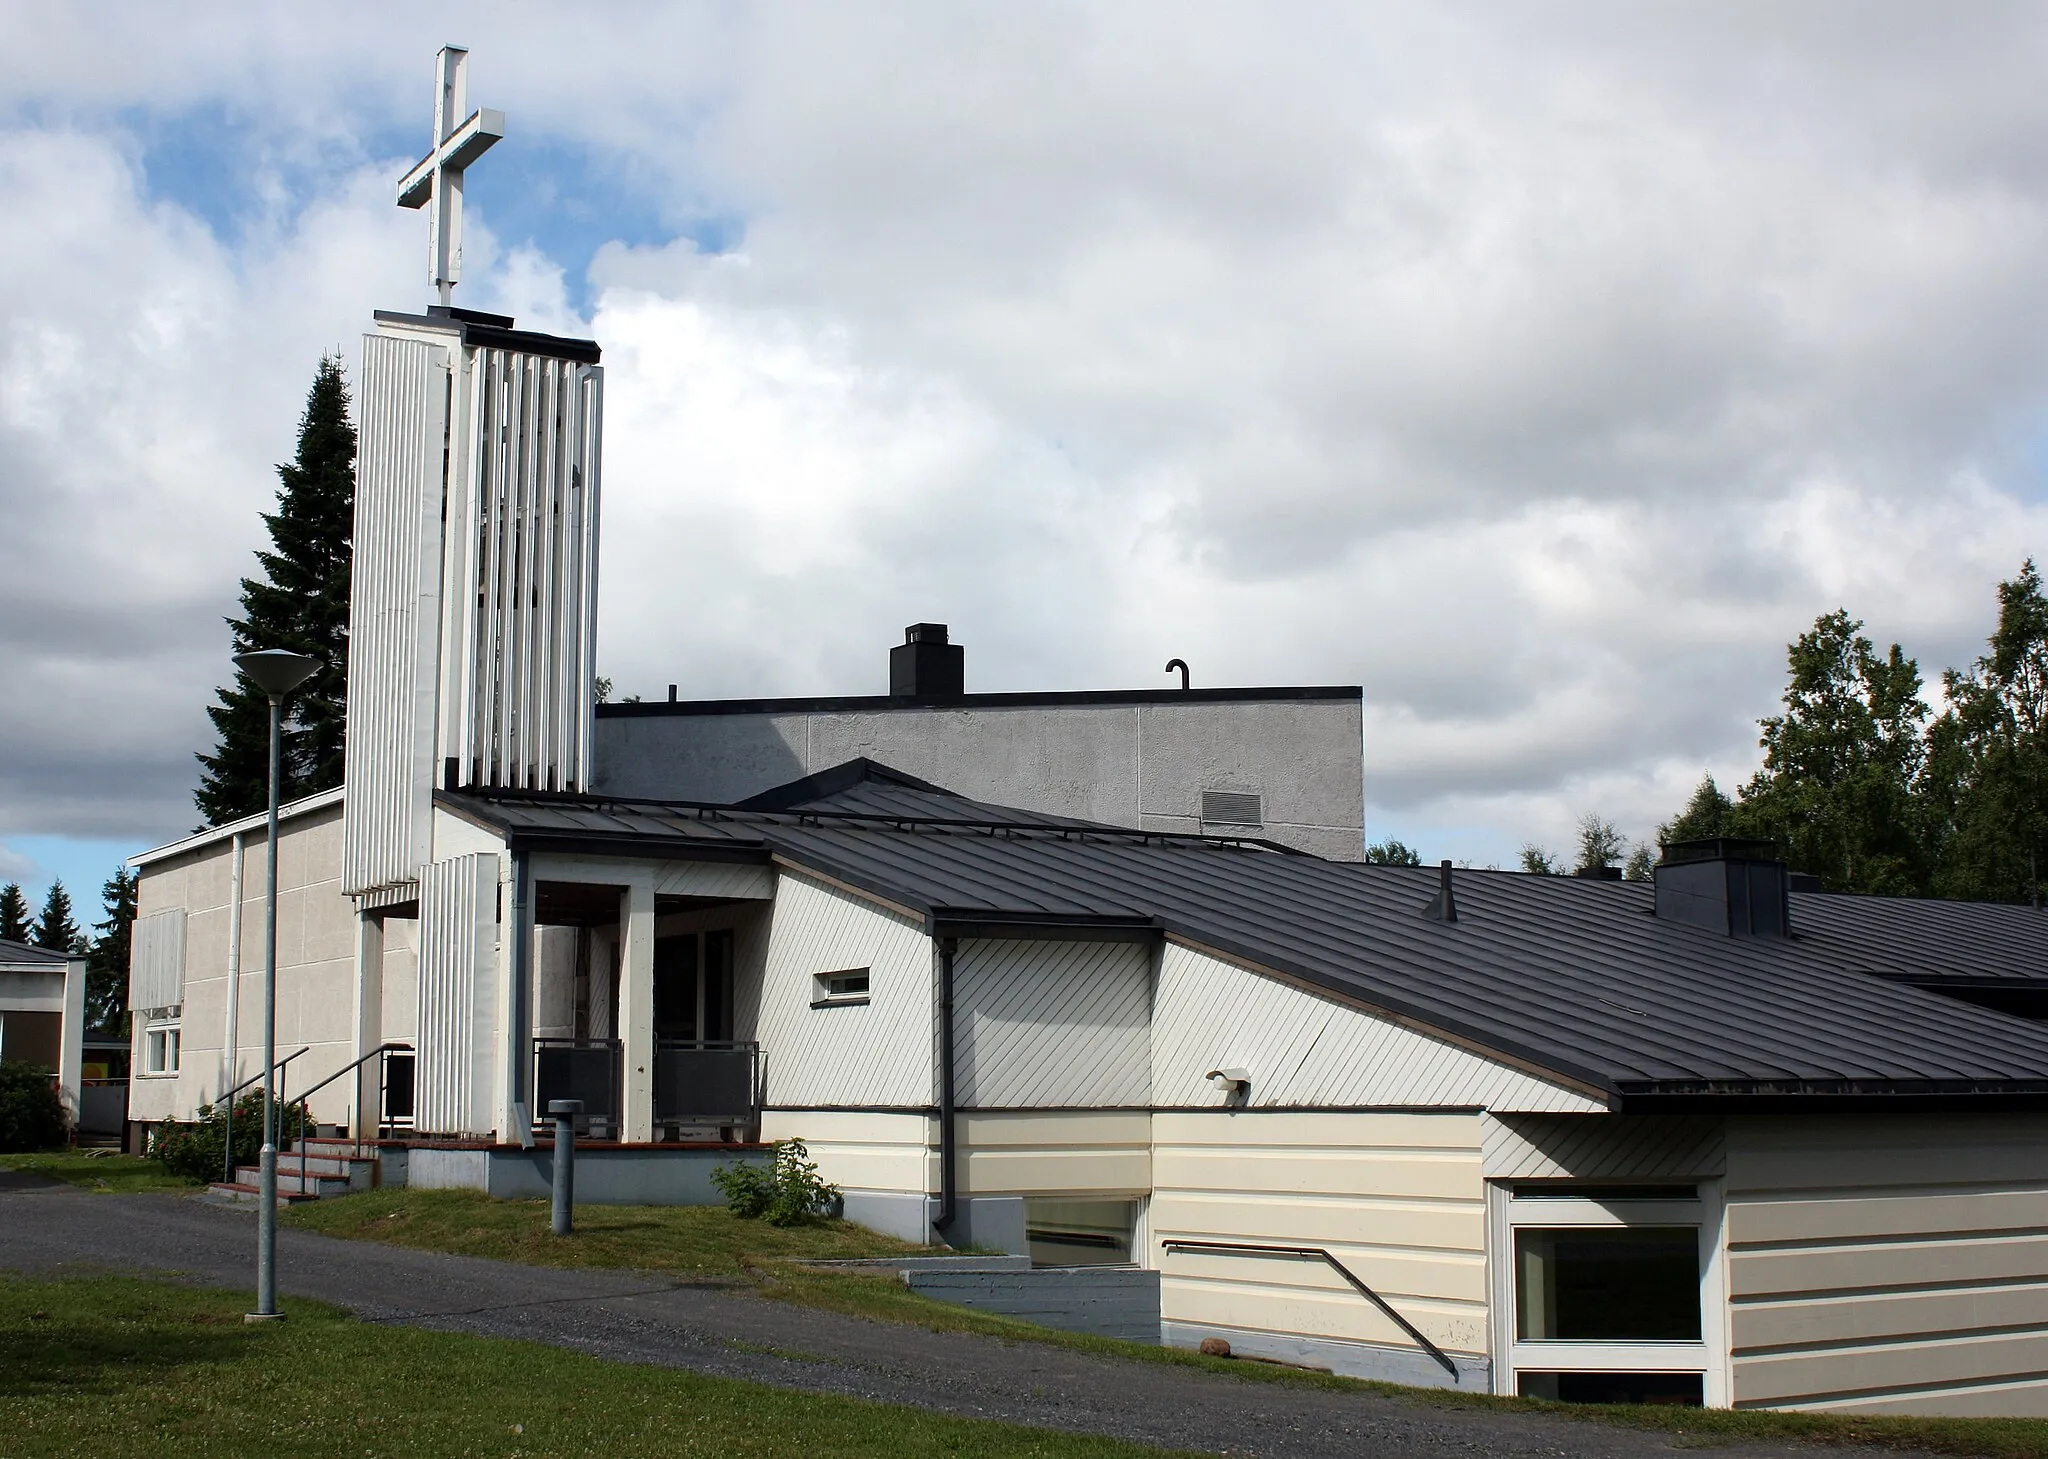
(720, 1329)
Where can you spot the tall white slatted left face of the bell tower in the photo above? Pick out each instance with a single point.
(394, 612)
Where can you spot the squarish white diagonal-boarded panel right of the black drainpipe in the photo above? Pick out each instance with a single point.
(1052, 1026)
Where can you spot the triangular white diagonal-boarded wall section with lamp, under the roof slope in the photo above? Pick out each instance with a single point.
(1310, 1052)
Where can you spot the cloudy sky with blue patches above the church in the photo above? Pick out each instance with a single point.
(1539, 368)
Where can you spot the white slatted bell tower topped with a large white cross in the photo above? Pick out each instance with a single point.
(472, 653)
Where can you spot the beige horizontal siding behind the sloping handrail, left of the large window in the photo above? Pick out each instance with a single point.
(1396, 1198)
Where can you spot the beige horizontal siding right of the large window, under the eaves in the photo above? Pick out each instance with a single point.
(1889, 1265)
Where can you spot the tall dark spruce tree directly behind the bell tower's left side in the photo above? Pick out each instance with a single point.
(300, 606)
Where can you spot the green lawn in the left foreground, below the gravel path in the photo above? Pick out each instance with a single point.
(120, 1366)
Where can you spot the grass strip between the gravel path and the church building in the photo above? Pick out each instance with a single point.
(714, 1243)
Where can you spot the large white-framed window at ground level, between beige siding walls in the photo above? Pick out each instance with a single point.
(1609, 1294)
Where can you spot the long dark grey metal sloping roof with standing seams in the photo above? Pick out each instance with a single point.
(1570, 976)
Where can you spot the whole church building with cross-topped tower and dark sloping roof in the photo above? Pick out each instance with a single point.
(1099, 978)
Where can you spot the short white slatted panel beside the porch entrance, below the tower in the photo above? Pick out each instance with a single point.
(458, 995)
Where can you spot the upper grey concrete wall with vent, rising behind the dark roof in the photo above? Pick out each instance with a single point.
(1121, 763)
